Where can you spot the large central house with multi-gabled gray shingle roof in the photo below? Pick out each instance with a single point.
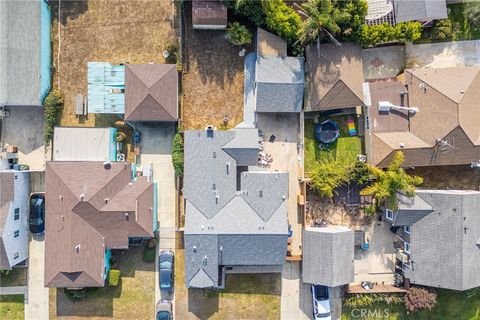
(235, 212)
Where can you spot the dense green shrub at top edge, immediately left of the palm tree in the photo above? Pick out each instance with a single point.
(281, 19)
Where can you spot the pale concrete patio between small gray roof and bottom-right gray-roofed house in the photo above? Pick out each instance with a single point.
(377, 264)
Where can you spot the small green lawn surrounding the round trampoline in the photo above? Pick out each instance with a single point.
(345, 149)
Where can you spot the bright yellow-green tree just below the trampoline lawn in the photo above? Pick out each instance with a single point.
(327, 176)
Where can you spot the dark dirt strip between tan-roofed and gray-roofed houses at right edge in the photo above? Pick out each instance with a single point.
(449, 177)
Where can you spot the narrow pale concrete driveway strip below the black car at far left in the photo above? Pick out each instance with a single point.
(36, 302)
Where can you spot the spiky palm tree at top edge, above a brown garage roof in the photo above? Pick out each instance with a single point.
(320, 17)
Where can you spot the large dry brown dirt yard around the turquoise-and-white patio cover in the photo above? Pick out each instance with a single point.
(106, 30)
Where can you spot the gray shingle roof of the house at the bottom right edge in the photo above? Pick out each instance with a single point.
(443, 244)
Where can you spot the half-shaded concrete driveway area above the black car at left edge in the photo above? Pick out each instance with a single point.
(24, 129)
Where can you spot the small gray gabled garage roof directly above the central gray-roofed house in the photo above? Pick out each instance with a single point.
(279, 84)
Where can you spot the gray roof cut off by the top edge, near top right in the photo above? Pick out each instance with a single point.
(410, 10)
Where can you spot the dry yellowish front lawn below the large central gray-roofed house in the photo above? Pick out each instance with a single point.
(245, 295)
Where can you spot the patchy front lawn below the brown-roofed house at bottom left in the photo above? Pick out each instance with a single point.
(133, 298)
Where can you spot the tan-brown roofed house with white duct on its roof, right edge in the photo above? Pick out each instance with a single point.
(433, 118)
